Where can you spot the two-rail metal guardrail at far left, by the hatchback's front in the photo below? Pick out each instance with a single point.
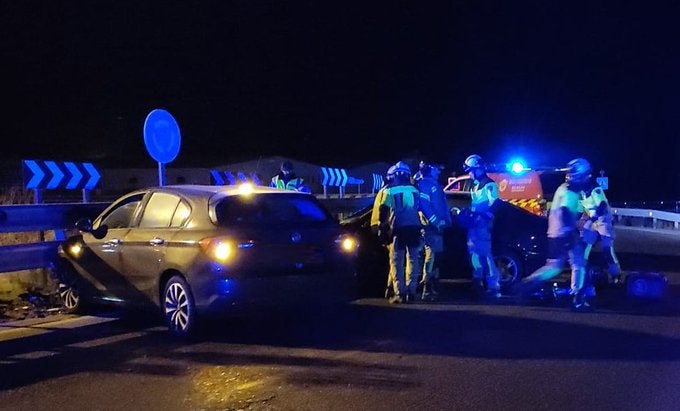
(38, 218)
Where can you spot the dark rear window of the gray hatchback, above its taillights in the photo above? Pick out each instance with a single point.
(270, 209)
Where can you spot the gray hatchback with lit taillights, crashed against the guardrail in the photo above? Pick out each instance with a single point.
(192, 249)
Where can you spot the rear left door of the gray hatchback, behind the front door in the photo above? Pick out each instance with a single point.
(145, 244)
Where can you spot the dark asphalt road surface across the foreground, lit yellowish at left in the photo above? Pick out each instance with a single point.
(455, 354)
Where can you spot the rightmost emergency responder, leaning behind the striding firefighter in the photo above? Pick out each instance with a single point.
(599, 225)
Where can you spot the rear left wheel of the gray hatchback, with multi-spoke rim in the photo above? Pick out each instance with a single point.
(178, 308)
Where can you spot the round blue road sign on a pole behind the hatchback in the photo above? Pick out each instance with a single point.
(161, 136)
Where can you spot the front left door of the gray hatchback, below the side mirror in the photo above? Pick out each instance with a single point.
(102, 265)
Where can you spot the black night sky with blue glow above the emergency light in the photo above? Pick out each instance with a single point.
(342, 83)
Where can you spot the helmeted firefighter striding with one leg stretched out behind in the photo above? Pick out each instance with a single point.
(563, 237)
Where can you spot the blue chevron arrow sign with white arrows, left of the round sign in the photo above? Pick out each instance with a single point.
(54, 175)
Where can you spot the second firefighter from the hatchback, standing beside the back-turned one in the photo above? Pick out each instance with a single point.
(432, 193)
